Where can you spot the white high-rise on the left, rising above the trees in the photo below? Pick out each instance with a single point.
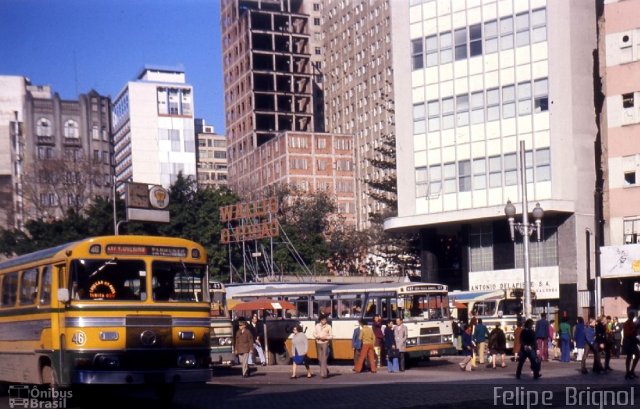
(153, 125)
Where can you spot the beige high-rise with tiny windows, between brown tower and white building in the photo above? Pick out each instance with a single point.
(358, 87)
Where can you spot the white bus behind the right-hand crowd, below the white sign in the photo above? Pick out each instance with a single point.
(498, 306)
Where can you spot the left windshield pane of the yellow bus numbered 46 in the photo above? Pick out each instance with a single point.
(108, 279)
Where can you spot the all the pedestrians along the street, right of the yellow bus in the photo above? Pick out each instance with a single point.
(385, 343)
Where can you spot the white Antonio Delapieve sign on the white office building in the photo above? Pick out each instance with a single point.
(545, 281)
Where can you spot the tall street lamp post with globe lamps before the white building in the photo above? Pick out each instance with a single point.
(525, 228)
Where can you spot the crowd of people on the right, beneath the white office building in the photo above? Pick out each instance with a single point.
(538, 341)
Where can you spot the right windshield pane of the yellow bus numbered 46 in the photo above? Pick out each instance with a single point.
(178, 281)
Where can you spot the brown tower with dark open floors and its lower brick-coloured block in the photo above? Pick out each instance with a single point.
(271, 90)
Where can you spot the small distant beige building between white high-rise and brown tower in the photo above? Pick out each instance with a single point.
(211, 156)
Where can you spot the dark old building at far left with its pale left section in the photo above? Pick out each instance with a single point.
(58, 151)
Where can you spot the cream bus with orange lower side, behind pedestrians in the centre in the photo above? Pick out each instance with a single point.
(424, 308)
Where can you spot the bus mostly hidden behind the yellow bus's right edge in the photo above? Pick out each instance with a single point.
(221, 328)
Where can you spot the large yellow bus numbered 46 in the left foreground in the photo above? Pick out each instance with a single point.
(106, 310)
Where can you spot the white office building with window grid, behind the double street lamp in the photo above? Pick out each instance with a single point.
(472, 79)
